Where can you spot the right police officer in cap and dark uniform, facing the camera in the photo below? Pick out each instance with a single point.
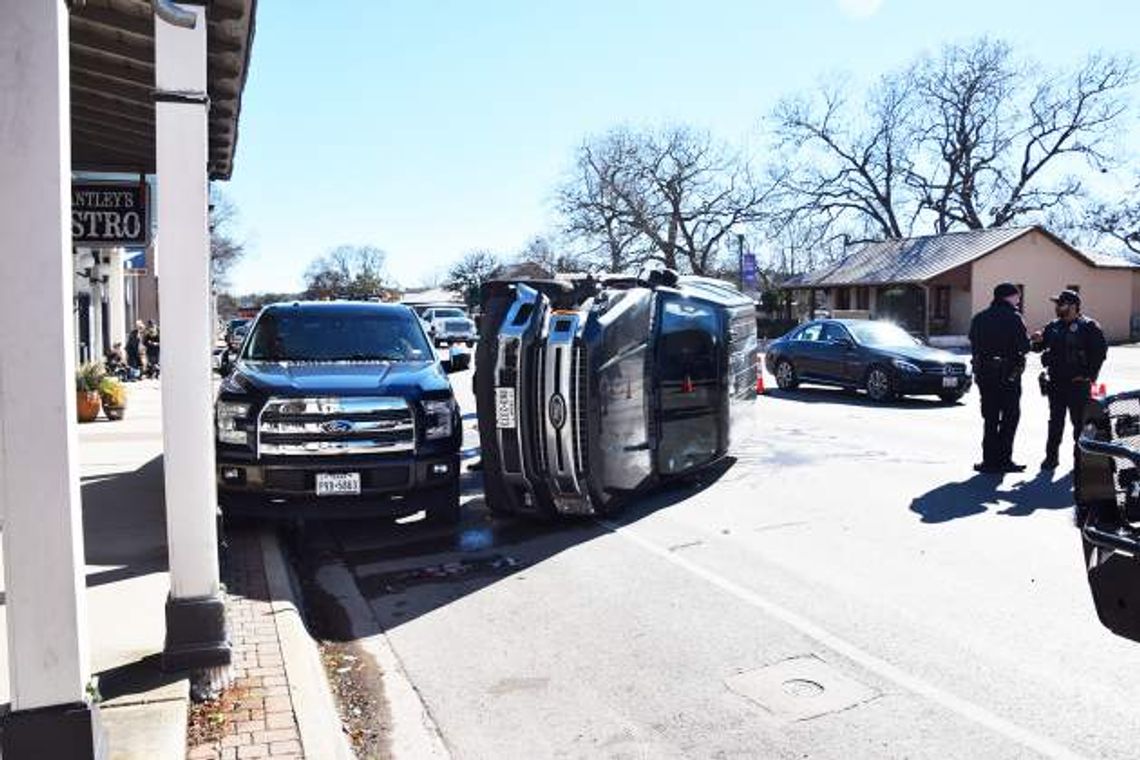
(1074, 349)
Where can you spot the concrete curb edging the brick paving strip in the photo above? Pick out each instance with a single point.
(314, 708)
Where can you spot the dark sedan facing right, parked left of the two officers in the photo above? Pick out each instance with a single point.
(878, 357)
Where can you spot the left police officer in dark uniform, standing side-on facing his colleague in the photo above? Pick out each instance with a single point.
(1000, 341)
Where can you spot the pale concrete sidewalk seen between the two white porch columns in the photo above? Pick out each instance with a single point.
(125, 537)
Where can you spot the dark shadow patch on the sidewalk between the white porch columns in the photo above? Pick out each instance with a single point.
(125, 524)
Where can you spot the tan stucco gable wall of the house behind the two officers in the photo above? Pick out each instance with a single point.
(1045, 268)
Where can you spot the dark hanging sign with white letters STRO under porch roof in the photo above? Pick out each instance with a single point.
(109, 215)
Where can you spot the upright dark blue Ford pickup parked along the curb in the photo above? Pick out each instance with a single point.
(338, 410)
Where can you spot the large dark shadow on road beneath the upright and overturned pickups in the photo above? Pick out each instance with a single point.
(408, 570)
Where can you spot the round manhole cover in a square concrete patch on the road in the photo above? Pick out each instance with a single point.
(800, 689)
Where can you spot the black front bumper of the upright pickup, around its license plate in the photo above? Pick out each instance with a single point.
(287, 487)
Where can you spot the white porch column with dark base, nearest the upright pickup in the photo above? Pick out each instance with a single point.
(197, 636)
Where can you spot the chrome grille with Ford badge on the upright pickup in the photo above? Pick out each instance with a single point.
(336, 427)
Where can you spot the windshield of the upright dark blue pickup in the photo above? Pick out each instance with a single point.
(331, 337)
